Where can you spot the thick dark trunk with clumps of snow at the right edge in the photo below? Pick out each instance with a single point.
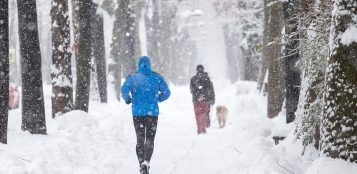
(339, 123)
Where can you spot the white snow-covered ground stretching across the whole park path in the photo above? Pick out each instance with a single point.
(103, 141)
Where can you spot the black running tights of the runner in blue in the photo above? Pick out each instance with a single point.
(145, 128)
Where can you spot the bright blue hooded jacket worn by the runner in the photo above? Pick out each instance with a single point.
(145, 89)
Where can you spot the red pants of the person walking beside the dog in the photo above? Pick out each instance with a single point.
(201, 112)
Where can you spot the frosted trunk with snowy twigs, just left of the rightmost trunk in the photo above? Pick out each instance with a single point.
(314, 53)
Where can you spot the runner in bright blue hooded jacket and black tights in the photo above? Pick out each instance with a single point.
(144, 89)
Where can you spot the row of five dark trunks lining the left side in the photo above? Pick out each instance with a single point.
(89, 34)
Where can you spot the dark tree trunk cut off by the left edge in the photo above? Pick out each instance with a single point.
(4, 69)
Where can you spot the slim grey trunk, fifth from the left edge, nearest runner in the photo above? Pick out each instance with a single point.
(99, 53)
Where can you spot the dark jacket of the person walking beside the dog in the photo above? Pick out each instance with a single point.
(202, 88)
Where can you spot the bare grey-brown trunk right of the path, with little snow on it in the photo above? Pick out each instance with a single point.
(276, 83)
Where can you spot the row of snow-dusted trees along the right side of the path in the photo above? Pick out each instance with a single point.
(298, 42)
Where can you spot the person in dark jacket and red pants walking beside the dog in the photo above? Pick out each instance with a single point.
(202, 96)
